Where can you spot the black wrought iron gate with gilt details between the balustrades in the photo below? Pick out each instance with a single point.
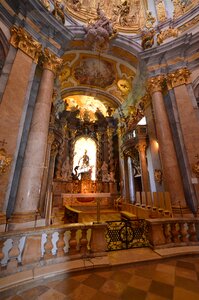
(127, 234)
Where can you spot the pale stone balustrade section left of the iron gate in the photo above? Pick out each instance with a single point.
(22, 250)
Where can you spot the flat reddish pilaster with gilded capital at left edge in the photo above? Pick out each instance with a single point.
(14, 103)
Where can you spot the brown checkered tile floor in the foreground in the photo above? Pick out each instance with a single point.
(176, 279)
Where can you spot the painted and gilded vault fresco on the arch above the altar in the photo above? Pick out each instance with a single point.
(99, 72)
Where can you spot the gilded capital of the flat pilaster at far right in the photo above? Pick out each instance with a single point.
(178, 77)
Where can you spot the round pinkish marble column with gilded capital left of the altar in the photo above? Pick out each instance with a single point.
(27, 202)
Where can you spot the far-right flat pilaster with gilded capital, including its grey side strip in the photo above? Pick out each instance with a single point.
(187, 131)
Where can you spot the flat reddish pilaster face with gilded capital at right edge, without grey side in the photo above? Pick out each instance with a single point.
(188, 117)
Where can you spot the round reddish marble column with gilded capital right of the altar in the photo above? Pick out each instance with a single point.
(171, 174)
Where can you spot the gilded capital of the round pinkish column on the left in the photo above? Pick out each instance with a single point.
(50, 61)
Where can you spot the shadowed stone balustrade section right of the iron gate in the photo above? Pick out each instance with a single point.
(164, 233)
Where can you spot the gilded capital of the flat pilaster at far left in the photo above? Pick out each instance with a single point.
(22, 40)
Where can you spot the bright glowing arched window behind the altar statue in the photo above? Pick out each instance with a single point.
(85, 156)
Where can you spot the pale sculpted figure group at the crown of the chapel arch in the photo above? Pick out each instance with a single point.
(98, 34)
